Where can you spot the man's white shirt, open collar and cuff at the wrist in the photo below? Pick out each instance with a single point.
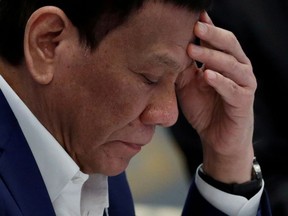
(64, 180)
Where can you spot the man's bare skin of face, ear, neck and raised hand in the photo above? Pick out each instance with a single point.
(103, 106)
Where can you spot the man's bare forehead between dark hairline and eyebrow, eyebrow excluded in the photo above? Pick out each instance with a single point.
(163, 21)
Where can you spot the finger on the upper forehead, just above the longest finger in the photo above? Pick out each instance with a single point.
(220, 39)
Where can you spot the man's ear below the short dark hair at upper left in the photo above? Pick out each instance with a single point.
(44, 32)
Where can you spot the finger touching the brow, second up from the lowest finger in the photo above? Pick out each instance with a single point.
(223, 63)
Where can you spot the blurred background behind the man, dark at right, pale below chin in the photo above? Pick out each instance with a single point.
(160, 173)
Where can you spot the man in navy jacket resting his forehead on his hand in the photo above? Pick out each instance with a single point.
(94, 80)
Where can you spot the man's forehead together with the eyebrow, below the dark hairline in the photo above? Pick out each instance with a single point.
(160, 33)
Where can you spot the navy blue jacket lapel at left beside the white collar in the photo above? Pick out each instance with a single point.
(18, 169)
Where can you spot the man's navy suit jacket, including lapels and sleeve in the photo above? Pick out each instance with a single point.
(23, 193)
